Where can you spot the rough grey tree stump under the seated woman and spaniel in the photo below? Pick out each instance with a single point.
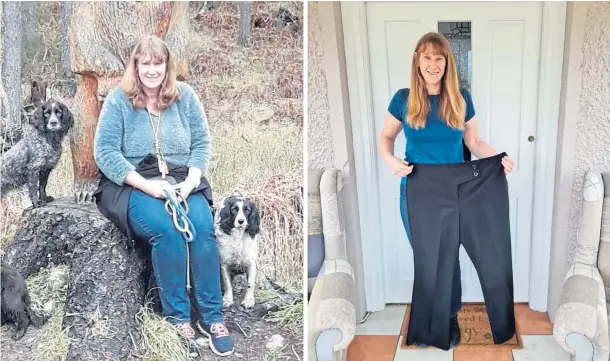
(107, 283)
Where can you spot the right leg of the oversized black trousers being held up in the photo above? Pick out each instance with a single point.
(485, 233)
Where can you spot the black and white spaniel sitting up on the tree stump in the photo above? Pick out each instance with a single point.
(31, 160)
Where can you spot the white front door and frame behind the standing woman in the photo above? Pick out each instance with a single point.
(497, 47)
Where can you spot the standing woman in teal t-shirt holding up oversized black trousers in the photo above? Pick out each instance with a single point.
(435, 116)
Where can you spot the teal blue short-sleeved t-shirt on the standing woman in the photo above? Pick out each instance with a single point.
(437, 142)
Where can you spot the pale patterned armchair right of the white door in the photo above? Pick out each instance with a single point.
(581, 324)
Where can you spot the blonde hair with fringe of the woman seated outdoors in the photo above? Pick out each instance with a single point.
(155, 48)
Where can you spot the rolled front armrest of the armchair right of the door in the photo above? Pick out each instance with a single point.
(581, 323)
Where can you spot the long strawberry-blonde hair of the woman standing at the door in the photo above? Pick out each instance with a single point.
(452, 104)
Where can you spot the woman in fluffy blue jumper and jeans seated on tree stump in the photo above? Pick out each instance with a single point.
(152, 126)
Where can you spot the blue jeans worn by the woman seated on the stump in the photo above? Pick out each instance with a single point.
(150, 222)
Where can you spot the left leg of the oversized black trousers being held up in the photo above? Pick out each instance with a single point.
(435, 241)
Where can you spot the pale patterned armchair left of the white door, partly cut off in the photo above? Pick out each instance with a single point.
(331, 311)
